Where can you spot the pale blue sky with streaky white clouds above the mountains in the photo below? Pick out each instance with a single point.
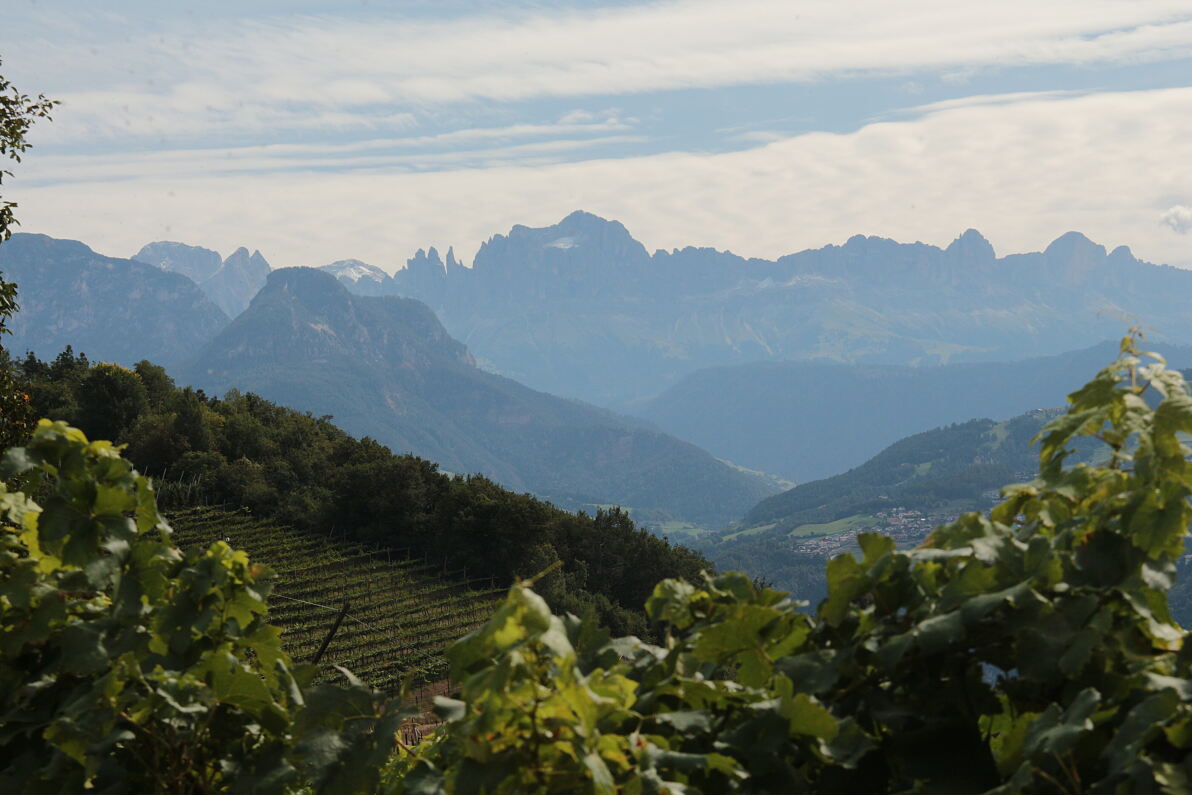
(319, 132)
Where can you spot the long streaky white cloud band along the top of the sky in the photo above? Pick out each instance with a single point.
(330, 73)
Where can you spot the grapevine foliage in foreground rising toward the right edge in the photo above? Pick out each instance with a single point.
(1026, 651)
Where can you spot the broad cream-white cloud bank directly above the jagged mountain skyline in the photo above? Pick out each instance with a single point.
(1022, 172)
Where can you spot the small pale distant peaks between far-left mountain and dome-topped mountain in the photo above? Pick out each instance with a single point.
(231, 283)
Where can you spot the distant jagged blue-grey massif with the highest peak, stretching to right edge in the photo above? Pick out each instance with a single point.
(582, 309)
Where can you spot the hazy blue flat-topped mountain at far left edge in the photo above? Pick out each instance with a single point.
(111, 309)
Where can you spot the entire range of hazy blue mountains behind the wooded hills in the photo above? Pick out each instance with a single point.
(819, 359)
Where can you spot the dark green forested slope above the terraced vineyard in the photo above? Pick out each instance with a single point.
(305, 473)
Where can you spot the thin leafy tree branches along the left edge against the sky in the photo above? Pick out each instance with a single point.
(18, 113)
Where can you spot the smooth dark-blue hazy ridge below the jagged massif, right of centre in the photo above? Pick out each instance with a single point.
(809, 420)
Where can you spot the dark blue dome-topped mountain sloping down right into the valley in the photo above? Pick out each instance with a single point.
(386, 368)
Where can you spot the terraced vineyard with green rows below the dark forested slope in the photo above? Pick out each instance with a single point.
(402, 614)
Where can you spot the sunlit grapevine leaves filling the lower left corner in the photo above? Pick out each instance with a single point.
(127, 666)
